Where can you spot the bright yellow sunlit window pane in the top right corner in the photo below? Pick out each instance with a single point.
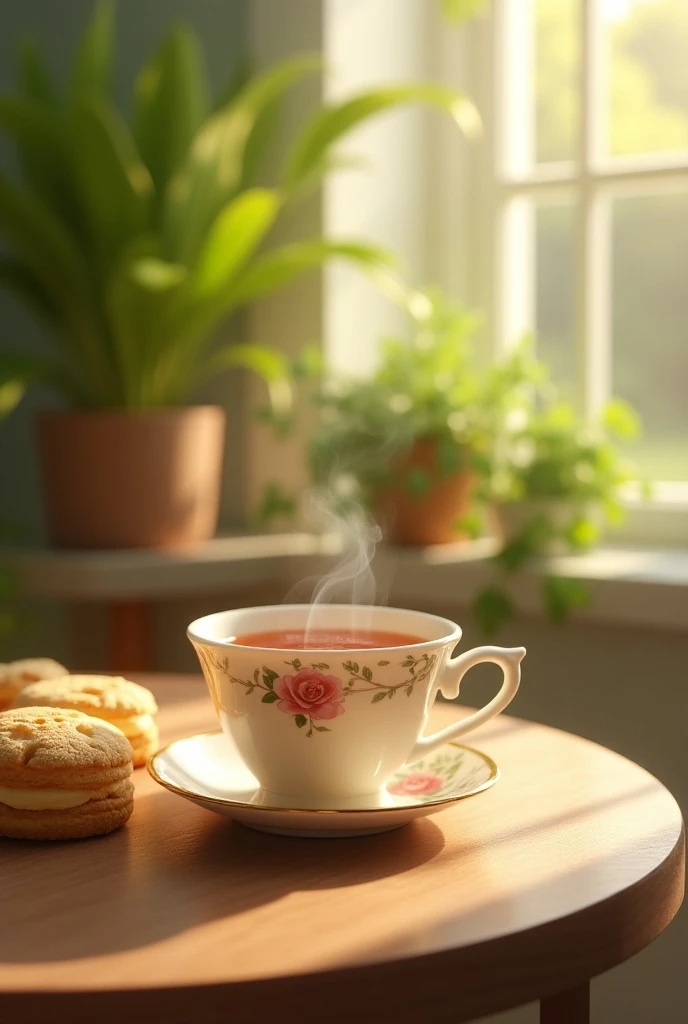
(648, 47)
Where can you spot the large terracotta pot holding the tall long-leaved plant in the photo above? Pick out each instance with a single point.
(140, 480)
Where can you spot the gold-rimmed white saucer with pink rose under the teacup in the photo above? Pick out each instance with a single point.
(207, 771)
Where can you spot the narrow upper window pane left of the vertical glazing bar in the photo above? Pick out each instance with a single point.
(556, 87)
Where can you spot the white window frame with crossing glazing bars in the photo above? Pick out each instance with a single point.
(487, 195)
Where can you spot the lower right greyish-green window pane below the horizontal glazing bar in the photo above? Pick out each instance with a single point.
(651, 326)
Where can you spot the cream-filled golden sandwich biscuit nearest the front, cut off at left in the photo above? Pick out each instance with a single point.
(63, 775)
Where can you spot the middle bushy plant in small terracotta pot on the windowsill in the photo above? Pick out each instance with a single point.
(417, 437)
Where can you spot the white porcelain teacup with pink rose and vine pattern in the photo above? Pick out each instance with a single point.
(329, 726)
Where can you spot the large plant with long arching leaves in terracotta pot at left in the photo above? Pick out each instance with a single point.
(134, 243)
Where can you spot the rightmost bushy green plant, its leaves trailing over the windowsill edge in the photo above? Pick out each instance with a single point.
(557, 481)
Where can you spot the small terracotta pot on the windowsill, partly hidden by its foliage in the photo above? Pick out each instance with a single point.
(433, 517)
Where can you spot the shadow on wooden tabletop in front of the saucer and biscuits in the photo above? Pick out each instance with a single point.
(168, 872)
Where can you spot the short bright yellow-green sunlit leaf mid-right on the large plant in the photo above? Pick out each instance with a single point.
(234, 237)
